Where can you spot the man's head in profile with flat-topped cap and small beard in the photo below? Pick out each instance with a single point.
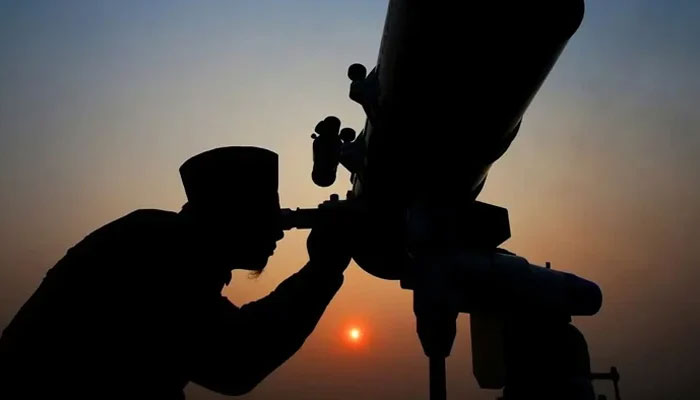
(233, 202)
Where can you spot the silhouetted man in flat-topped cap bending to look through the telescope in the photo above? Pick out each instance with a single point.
(135, 309)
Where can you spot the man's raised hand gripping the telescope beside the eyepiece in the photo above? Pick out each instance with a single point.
(330, 242)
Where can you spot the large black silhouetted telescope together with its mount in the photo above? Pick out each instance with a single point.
(444, 102)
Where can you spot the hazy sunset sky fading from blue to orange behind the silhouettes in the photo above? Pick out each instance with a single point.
(100, 102)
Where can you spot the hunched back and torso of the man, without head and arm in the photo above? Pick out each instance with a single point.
(114, 312)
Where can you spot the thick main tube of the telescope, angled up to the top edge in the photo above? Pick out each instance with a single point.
(447, 97)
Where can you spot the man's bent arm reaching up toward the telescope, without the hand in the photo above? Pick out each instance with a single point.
(243, 346)
